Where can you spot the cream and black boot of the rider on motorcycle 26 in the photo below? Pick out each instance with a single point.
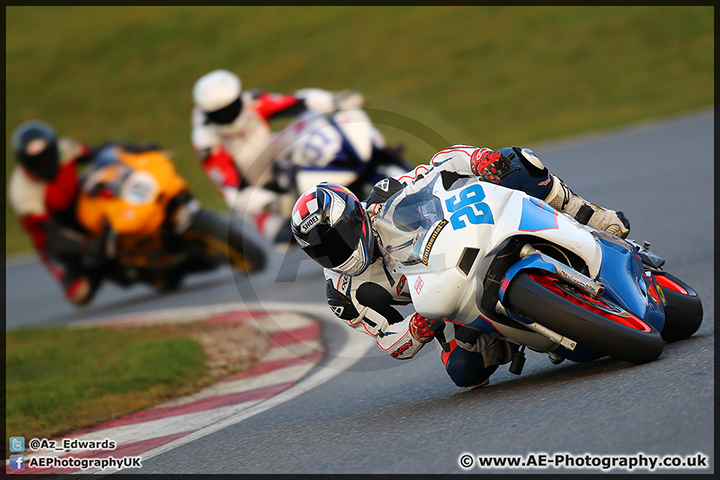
(563, 199)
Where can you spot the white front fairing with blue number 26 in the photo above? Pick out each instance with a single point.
(470, 202)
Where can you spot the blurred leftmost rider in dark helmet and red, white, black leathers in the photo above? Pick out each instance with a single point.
(43, 191)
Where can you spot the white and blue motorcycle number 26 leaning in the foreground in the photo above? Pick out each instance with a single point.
(509, 265)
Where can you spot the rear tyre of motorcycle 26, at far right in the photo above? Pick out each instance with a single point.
(683, 310)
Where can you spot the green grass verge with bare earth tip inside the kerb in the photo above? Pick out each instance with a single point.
(61, 379)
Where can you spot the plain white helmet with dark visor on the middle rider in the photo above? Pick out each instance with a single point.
(217, 94)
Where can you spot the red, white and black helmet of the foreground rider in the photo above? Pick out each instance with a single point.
(331, 226)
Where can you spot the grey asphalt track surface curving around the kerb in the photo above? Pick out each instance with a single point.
(381, 415)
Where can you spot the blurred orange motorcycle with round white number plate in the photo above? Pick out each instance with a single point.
(154, 230)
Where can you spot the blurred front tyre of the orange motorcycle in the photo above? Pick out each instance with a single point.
(224, 240)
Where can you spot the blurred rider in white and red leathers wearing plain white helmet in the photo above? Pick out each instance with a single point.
(231, 133)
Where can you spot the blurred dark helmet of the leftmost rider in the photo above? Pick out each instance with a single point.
(35, 147)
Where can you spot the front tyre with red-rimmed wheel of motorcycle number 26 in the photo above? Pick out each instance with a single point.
(595, 323)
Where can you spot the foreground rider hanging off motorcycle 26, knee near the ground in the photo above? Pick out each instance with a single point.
(337, 231)
